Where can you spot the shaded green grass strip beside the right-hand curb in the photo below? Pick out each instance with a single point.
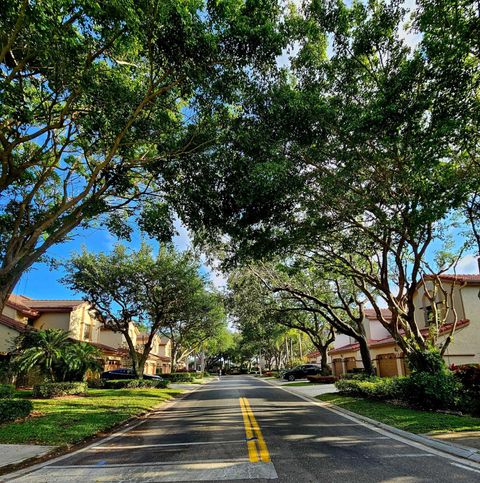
(420, 422)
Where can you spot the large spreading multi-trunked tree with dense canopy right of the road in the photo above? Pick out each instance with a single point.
(357, 160)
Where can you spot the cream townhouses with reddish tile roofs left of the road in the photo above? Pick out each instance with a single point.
(78, 319)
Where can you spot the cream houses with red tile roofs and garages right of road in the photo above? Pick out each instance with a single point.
(458, 302)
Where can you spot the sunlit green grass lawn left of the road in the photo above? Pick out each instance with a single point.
(64, 421)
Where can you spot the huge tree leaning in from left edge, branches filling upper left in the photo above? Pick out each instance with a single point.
(96, 95)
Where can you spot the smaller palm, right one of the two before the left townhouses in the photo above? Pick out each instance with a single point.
(79, 358)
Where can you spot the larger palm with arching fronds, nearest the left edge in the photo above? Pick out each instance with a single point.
(43, 349)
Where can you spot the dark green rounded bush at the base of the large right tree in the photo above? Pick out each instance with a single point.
(433, 391)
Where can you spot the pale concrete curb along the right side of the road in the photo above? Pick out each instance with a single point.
(464, 452)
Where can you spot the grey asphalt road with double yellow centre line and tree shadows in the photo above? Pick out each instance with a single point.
(243, 429)
